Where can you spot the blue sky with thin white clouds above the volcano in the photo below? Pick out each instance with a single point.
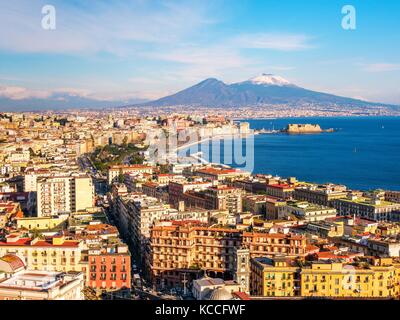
(122, 49)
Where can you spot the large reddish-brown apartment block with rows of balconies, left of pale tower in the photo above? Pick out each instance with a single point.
(180, 249)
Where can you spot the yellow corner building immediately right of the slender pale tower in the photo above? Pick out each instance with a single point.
(277, 277)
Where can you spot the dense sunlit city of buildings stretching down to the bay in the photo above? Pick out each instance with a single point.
(87, 212)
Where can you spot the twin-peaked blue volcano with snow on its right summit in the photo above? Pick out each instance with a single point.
(266, 89)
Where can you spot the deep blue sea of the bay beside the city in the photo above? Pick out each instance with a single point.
(362, 153)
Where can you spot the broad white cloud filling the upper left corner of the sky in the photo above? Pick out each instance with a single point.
(115, 27)
